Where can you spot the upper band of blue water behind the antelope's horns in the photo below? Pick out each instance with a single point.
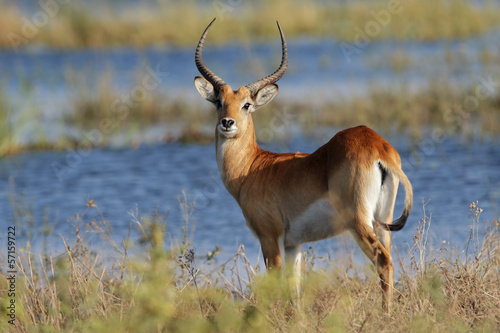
(318, 68)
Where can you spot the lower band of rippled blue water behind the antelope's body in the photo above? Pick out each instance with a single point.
(152, 177)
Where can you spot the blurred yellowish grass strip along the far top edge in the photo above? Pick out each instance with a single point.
(180, 22)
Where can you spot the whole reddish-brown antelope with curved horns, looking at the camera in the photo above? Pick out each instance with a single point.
(350, 183)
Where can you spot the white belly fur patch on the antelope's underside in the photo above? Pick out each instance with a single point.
(319, 221)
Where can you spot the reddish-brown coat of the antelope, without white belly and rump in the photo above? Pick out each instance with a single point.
(273, 189)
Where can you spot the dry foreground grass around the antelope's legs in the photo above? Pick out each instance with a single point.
(158, 286)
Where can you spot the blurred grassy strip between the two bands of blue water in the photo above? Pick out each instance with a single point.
(451, 111)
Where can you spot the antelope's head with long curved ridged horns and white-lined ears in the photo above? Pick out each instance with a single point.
(234, 107)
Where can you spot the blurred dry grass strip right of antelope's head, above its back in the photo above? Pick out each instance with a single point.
(399, 110)
